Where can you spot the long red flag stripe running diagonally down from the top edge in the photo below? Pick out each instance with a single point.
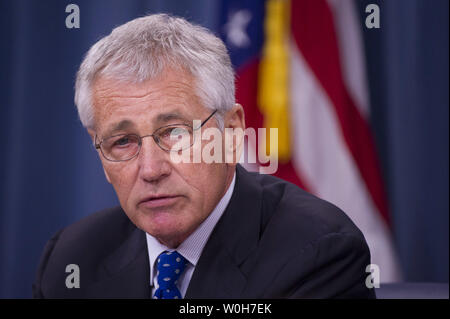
(314, 33)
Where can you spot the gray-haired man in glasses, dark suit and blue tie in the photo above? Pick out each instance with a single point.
(189, 229)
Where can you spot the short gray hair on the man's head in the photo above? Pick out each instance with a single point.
(142, 48)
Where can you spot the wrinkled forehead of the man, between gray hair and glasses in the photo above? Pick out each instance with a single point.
(119, 105)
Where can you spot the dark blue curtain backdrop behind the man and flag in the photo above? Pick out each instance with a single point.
(50, 175)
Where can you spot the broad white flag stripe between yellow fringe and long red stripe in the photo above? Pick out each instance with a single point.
(322, 158)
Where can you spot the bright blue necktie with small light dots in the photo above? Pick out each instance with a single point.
(170, 266)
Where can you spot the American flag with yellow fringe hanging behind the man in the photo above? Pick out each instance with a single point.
(300, 67)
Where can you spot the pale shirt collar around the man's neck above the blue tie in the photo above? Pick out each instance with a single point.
(192, 247)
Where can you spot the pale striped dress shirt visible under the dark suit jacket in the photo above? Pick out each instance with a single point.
(191, 248)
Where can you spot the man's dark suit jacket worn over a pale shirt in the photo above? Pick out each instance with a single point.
(274, 240)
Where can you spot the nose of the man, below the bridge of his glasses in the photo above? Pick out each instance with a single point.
(153, 161)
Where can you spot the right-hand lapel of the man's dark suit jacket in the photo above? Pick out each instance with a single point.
(219, 272)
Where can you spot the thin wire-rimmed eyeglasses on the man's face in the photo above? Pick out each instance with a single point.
(124, 147)
